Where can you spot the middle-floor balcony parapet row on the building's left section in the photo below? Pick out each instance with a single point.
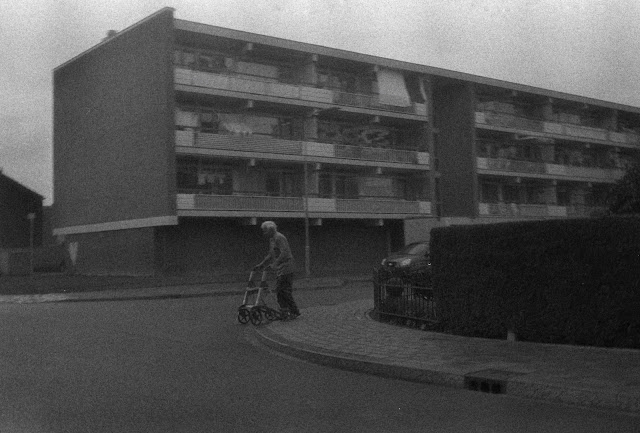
(305, 150)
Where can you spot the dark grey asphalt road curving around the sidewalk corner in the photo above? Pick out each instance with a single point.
(186, 365)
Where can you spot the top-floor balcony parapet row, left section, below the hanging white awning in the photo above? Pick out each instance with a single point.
(258, 86)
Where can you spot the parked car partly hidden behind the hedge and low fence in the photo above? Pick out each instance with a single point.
(411, 266)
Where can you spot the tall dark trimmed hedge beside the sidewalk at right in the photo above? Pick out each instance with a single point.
(565, 281)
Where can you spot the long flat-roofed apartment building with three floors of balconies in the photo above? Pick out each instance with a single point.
(174, 140)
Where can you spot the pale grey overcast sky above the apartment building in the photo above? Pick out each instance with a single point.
(587, 47)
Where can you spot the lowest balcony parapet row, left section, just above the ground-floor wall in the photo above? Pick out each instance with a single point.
(296, 205)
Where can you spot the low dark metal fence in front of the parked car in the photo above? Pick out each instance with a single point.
(395, 299)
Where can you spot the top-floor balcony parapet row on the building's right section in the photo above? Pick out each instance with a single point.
(511, 121)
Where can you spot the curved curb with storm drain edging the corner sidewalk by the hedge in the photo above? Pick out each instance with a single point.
(485, 381)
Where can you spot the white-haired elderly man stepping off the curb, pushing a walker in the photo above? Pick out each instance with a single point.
(281, 261)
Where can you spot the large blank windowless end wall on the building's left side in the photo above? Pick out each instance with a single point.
(114, 152)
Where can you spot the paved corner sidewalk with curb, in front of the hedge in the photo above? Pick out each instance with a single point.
(344, 336)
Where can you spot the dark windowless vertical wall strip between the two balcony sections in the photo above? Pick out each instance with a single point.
(455, 149)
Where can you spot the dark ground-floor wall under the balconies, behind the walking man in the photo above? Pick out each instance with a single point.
(225, 247)
